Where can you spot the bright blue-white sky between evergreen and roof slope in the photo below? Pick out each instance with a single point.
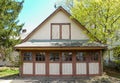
(34, 12)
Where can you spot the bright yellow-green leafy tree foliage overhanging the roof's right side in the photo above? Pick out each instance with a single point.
(100, 17)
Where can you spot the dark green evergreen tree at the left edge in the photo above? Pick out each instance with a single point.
(9, 27)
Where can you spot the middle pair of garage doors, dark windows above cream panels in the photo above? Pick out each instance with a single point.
(60, 63)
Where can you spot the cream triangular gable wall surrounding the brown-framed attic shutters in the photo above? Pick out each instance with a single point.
(44, 32)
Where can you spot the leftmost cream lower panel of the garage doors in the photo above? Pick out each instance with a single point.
(27, 68)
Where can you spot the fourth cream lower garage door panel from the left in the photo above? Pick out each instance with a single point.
(67, 68)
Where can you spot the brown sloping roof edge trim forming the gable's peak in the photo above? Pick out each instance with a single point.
(56, 11)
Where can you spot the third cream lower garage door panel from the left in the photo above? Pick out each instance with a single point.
(54, 69)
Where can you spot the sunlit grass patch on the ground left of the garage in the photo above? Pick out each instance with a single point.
(8, 71)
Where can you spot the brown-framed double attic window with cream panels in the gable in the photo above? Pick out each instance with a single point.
(60, 31)
